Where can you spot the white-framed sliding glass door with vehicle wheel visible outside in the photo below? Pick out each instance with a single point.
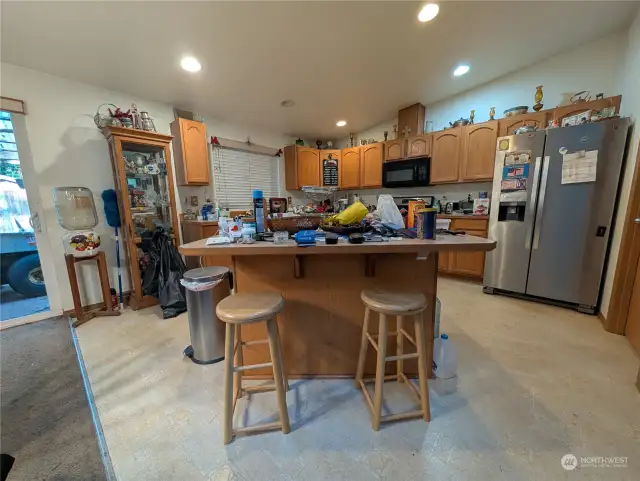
(23, 233)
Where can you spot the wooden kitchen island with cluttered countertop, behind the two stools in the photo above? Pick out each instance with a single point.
(321, 324)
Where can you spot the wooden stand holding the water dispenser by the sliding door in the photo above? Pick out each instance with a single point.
(83, 316)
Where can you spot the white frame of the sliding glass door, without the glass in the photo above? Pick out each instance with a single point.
(29, 175)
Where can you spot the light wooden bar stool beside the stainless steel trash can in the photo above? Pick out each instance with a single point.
(236, 311)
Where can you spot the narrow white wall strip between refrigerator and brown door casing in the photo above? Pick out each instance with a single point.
(630, 89)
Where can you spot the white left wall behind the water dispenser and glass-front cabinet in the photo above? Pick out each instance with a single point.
(68, 149)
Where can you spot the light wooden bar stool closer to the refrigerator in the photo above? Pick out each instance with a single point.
(398, 304)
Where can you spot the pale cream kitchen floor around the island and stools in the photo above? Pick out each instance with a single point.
(535, 383)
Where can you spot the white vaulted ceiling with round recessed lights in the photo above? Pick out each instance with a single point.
(358, 61)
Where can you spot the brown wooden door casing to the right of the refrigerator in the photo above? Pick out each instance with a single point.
(628, 258)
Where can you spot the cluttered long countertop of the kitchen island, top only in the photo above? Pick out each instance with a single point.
(442, 243)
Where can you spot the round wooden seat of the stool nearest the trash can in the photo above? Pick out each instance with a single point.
(247, 308)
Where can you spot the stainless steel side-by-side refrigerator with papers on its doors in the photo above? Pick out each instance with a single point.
(552, 208)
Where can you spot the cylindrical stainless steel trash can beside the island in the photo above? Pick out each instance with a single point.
(207, 331)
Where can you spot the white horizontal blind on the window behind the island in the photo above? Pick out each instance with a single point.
(236, 174)
